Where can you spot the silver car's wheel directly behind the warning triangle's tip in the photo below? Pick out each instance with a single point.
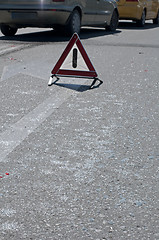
(74, 23)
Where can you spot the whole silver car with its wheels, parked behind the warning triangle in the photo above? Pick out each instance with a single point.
(69, 15)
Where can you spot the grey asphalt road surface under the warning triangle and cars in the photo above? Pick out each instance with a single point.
(80, 163)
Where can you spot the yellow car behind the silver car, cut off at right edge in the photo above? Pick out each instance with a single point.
(139, 10)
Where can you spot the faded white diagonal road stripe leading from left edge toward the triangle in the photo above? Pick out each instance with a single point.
(12, 137)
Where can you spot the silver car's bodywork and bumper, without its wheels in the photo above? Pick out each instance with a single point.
(46, 13)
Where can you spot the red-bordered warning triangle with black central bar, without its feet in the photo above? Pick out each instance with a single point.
(58, 70)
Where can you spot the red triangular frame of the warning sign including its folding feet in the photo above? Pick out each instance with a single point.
(58, 71)
